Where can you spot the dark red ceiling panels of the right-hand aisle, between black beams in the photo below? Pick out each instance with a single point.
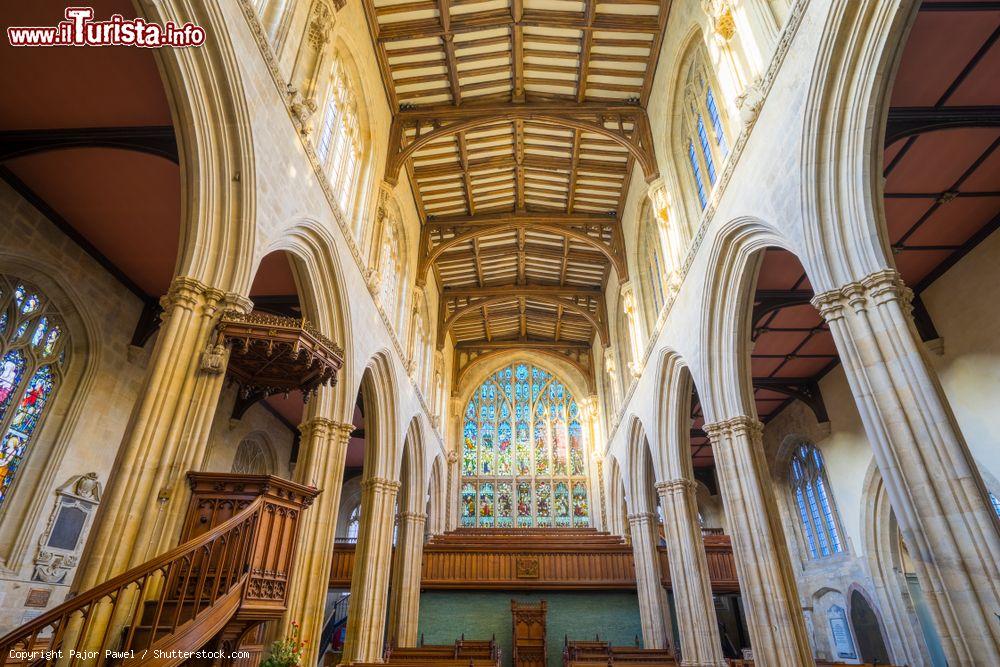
(927, 227)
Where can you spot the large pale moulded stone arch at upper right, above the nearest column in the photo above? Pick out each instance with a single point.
(842, 140)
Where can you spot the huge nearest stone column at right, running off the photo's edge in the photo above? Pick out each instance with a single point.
(931, 479)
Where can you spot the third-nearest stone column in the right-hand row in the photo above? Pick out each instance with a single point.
(689, 576)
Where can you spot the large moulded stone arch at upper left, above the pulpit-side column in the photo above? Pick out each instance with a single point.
(215, 149)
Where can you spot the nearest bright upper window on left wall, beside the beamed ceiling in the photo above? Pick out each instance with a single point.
(339, 146)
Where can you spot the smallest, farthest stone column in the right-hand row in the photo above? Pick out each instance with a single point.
(654, 609)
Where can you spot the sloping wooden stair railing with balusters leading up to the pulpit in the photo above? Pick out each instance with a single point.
(193, 576)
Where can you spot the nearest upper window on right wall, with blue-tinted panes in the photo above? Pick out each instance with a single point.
(704, 134)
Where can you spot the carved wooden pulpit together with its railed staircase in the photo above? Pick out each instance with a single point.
(230, 574)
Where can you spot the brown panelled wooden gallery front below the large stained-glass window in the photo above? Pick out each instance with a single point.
(570, 559)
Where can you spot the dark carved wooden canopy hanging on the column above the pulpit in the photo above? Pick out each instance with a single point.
(276, 355)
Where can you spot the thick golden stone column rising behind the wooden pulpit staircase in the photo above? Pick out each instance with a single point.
(147, 495)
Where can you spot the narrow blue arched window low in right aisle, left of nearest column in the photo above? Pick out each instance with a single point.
(809, 490)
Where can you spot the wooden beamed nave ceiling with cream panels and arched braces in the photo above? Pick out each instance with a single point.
(519, 123)
